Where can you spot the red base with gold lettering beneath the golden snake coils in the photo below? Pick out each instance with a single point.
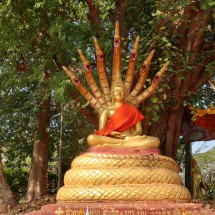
(124, 208)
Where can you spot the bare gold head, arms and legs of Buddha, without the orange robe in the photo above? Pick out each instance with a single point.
(131, 137)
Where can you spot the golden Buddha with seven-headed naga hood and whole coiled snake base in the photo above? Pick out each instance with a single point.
(121, 163)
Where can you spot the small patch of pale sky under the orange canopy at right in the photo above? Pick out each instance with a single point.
(202, 146)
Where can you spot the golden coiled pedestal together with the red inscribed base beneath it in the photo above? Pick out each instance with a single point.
(134, 158)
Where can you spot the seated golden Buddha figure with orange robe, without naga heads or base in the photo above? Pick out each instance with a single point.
(120, 123)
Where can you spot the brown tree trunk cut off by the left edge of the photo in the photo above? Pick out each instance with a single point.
(7, 200)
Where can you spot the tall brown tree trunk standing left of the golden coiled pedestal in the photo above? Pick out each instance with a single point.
(38, 173)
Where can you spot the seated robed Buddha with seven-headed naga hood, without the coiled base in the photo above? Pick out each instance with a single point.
(120, 121)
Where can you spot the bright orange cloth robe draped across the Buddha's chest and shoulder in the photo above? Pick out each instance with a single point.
(123, 118)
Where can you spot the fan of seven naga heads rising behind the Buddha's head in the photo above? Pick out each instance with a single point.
(101, 99)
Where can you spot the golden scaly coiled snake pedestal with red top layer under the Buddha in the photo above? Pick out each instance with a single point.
(109, 174)
